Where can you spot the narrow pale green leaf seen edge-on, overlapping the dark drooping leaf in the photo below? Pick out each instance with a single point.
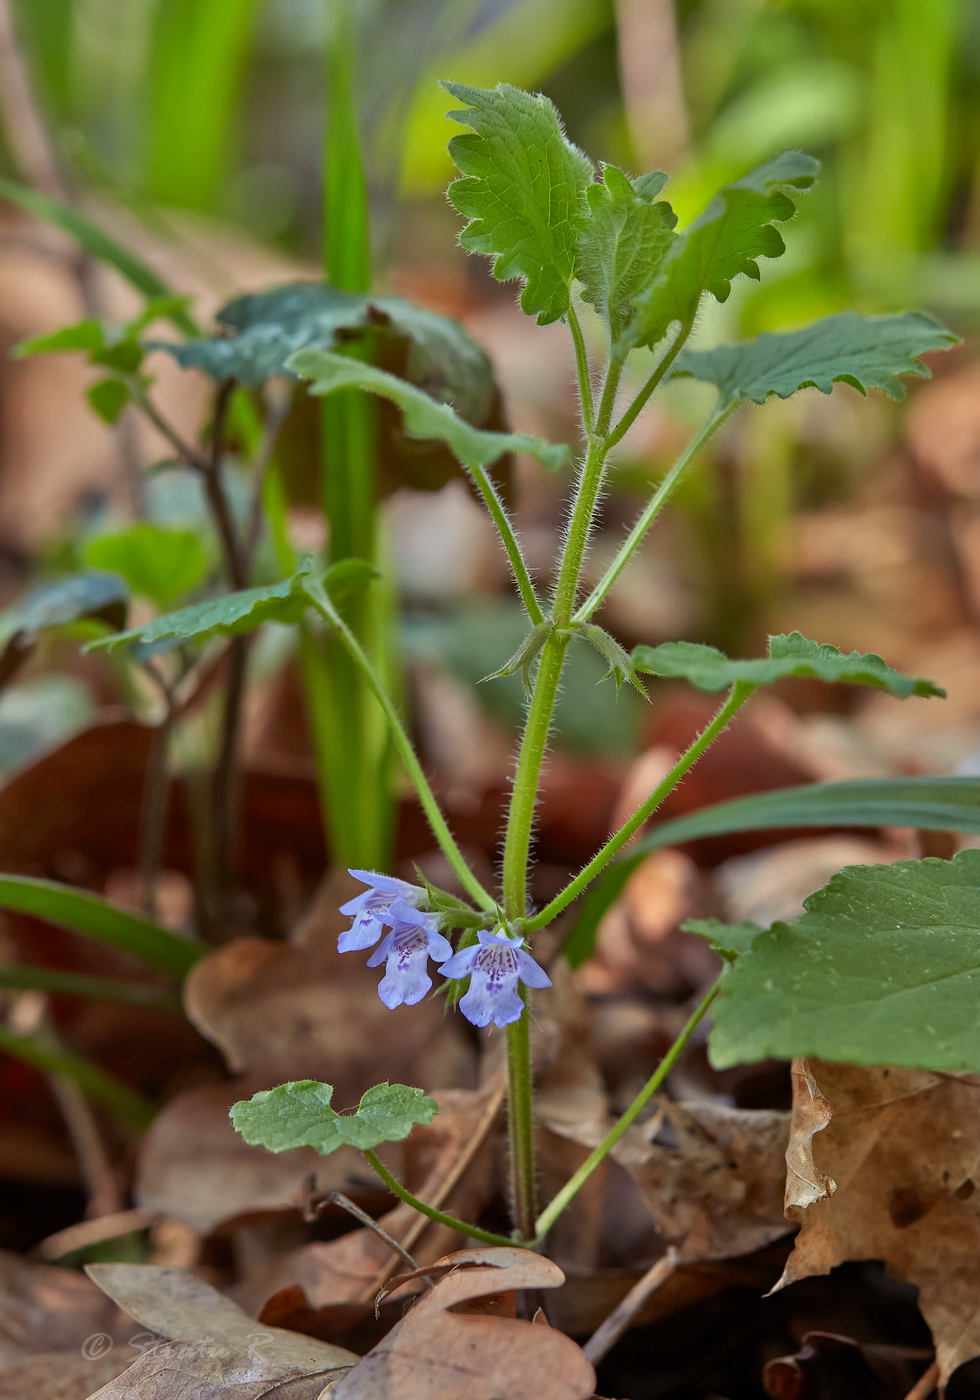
(423, 416)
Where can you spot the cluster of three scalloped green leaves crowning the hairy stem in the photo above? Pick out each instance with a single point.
(535, 208)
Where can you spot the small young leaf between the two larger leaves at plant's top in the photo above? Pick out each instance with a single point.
(624, 243)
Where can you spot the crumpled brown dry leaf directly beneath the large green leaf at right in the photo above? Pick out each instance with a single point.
(904, 1149)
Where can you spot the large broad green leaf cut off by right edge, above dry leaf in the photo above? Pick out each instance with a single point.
(884, 968)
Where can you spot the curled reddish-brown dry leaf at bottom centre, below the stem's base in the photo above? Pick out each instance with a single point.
(435, 1353)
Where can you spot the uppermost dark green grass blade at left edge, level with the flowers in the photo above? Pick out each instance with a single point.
(96, 918)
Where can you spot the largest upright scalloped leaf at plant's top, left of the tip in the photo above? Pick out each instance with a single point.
(524, 192)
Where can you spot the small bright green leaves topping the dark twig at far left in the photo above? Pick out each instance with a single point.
(108, 346)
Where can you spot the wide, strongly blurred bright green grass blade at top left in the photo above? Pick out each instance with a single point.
(195, 62)
